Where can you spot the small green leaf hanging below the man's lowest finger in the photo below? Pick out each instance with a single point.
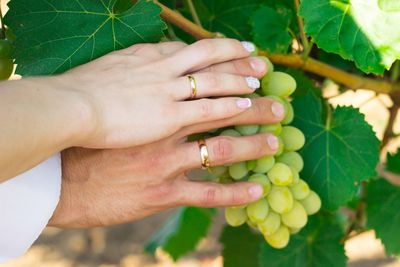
(182, 232)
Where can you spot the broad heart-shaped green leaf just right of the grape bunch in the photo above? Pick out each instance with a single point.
(341, 149)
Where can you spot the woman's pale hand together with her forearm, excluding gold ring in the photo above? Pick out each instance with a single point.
(126, 98)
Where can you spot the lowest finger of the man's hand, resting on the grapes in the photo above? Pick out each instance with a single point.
(208, 194)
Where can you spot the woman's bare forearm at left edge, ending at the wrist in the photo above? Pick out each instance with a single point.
(38, 118)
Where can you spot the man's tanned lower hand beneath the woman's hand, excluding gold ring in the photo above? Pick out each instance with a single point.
(107, 187)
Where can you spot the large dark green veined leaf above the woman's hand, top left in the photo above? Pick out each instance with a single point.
(56, 35)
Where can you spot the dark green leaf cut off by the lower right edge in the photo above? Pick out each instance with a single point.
(383, 213)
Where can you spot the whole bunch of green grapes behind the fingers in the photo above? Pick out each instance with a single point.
(287, 200)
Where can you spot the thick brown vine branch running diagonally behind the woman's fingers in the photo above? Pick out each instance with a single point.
(309, 64)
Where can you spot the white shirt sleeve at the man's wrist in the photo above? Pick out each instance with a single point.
(27, 202)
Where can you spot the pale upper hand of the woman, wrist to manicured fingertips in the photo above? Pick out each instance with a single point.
(137, 95)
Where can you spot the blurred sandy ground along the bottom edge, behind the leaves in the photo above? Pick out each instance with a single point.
(121, 246)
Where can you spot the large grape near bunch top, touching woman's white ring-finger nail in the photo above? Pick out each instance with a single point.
(280, 84)
